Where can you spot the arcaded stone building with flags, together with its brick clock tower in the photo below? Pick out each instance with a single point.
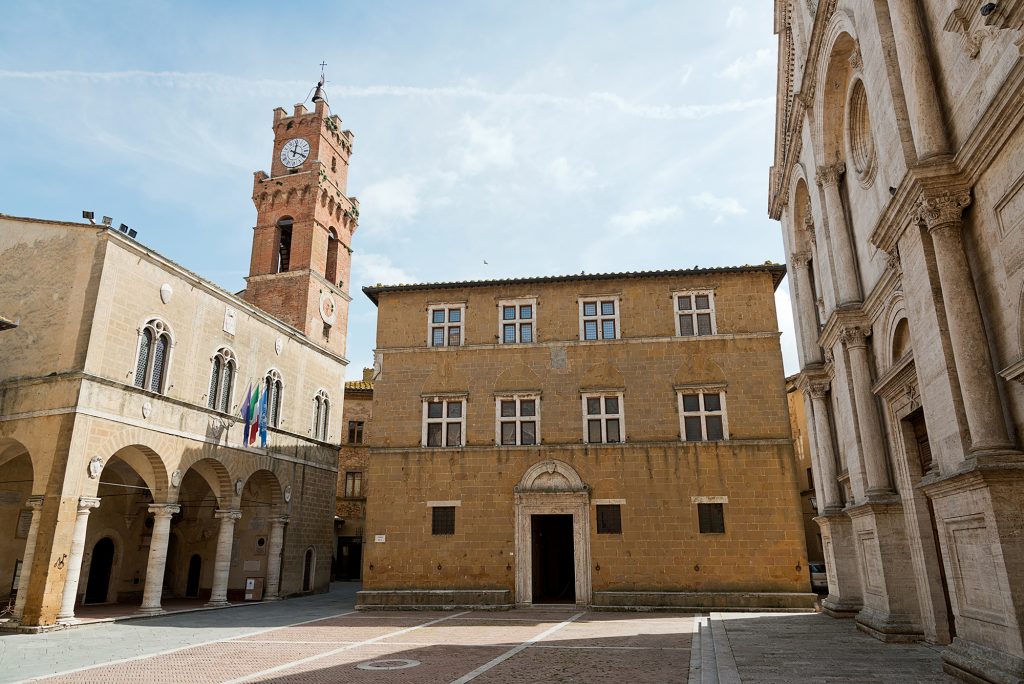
(161, 437)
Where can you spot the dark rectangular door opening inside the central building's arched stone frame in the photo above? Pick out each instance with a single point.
(554, 567)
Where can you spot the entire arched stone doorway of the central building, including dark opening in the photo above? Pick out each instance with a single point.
(552, 536)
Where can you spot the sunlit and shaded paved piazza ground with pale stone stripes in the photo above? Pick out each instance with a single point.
(323, 639)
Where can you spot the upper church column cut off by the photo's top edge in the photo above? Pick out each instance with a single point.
(922, 98)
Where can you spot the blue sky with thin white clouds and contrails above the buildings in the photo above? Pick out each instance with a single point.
(544, 138)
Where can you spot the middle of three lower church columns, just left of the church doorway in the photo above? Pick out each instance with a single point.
(876, 471)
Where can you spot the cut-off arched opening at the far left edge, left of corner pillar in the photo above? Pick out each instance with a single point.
(17, 487)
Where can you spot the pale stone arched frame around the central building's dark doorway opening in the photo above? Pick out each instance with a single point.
(552, 488)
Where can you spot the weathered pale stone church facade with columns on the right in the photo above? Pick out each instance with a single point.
(900, 185)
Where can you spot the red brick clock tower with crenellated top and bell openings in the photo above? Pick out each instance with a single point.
(302, 258)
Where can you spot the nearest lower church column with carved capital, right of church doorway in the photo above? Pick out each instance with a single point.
(967, 331)
